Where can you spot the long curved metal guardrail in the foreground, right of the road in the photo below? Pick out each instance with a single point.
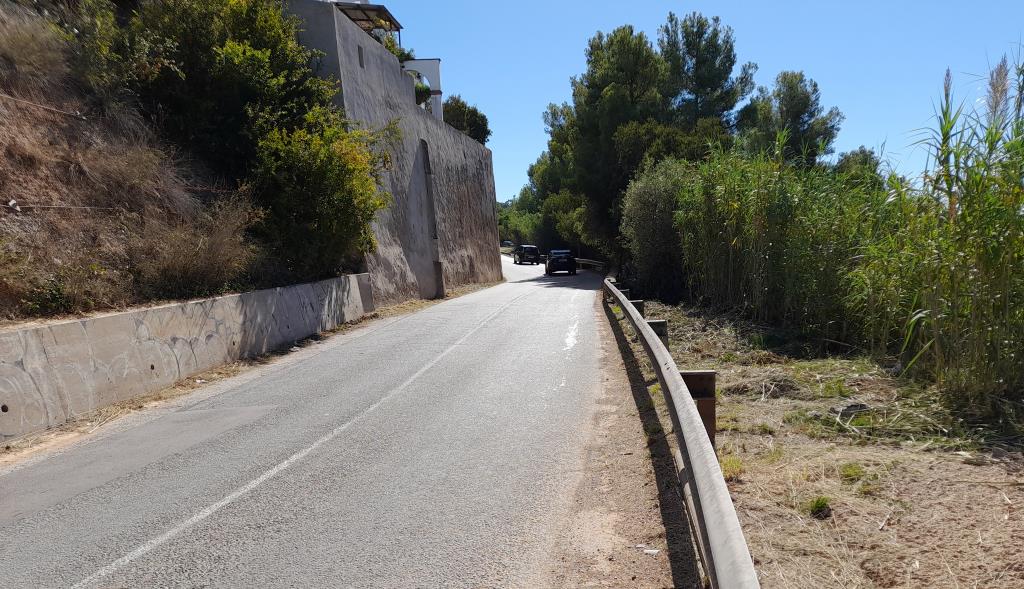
(720, 541)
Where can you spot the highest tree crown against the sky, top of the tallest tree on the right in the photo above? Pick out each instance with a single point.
(701, 57)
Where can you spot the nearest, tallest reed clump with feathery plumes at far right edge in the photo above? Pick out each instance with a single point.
(954, 261)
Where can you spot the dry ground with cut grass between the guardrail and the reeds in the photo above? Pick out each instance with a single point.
(844, 476)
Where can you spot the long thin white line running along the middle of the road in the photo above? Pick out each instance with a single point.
(238, 493)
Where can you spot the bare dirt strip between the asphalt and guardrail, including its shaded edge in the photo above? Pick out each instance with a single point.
(627, 528)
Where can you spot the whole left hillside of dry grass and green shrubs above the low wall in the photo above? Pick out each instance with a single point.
(174, 149)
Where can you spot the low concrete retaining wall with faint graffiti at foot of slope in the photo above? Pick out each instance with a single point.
(52, 373)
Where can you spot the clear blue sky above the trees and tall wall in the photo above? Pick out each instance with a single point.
(881, 63)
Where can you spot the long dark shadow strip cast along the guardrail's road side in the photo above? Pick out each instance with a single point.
(682, 558)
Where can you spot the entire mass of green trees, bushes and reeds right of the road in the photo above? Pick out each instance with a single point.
(701, 189)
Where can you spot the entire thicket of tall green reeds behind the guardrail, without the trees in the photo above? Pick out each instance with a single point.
(929, 273)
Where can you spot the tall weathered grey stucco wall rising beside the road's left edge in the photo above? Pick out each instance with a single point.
(456, 193)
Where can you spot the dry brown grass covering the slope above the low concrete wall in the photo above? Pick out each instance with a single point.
(107, 217)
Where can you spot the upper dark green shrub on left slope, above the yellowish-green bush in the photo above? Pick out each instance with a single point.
(224, 73)
